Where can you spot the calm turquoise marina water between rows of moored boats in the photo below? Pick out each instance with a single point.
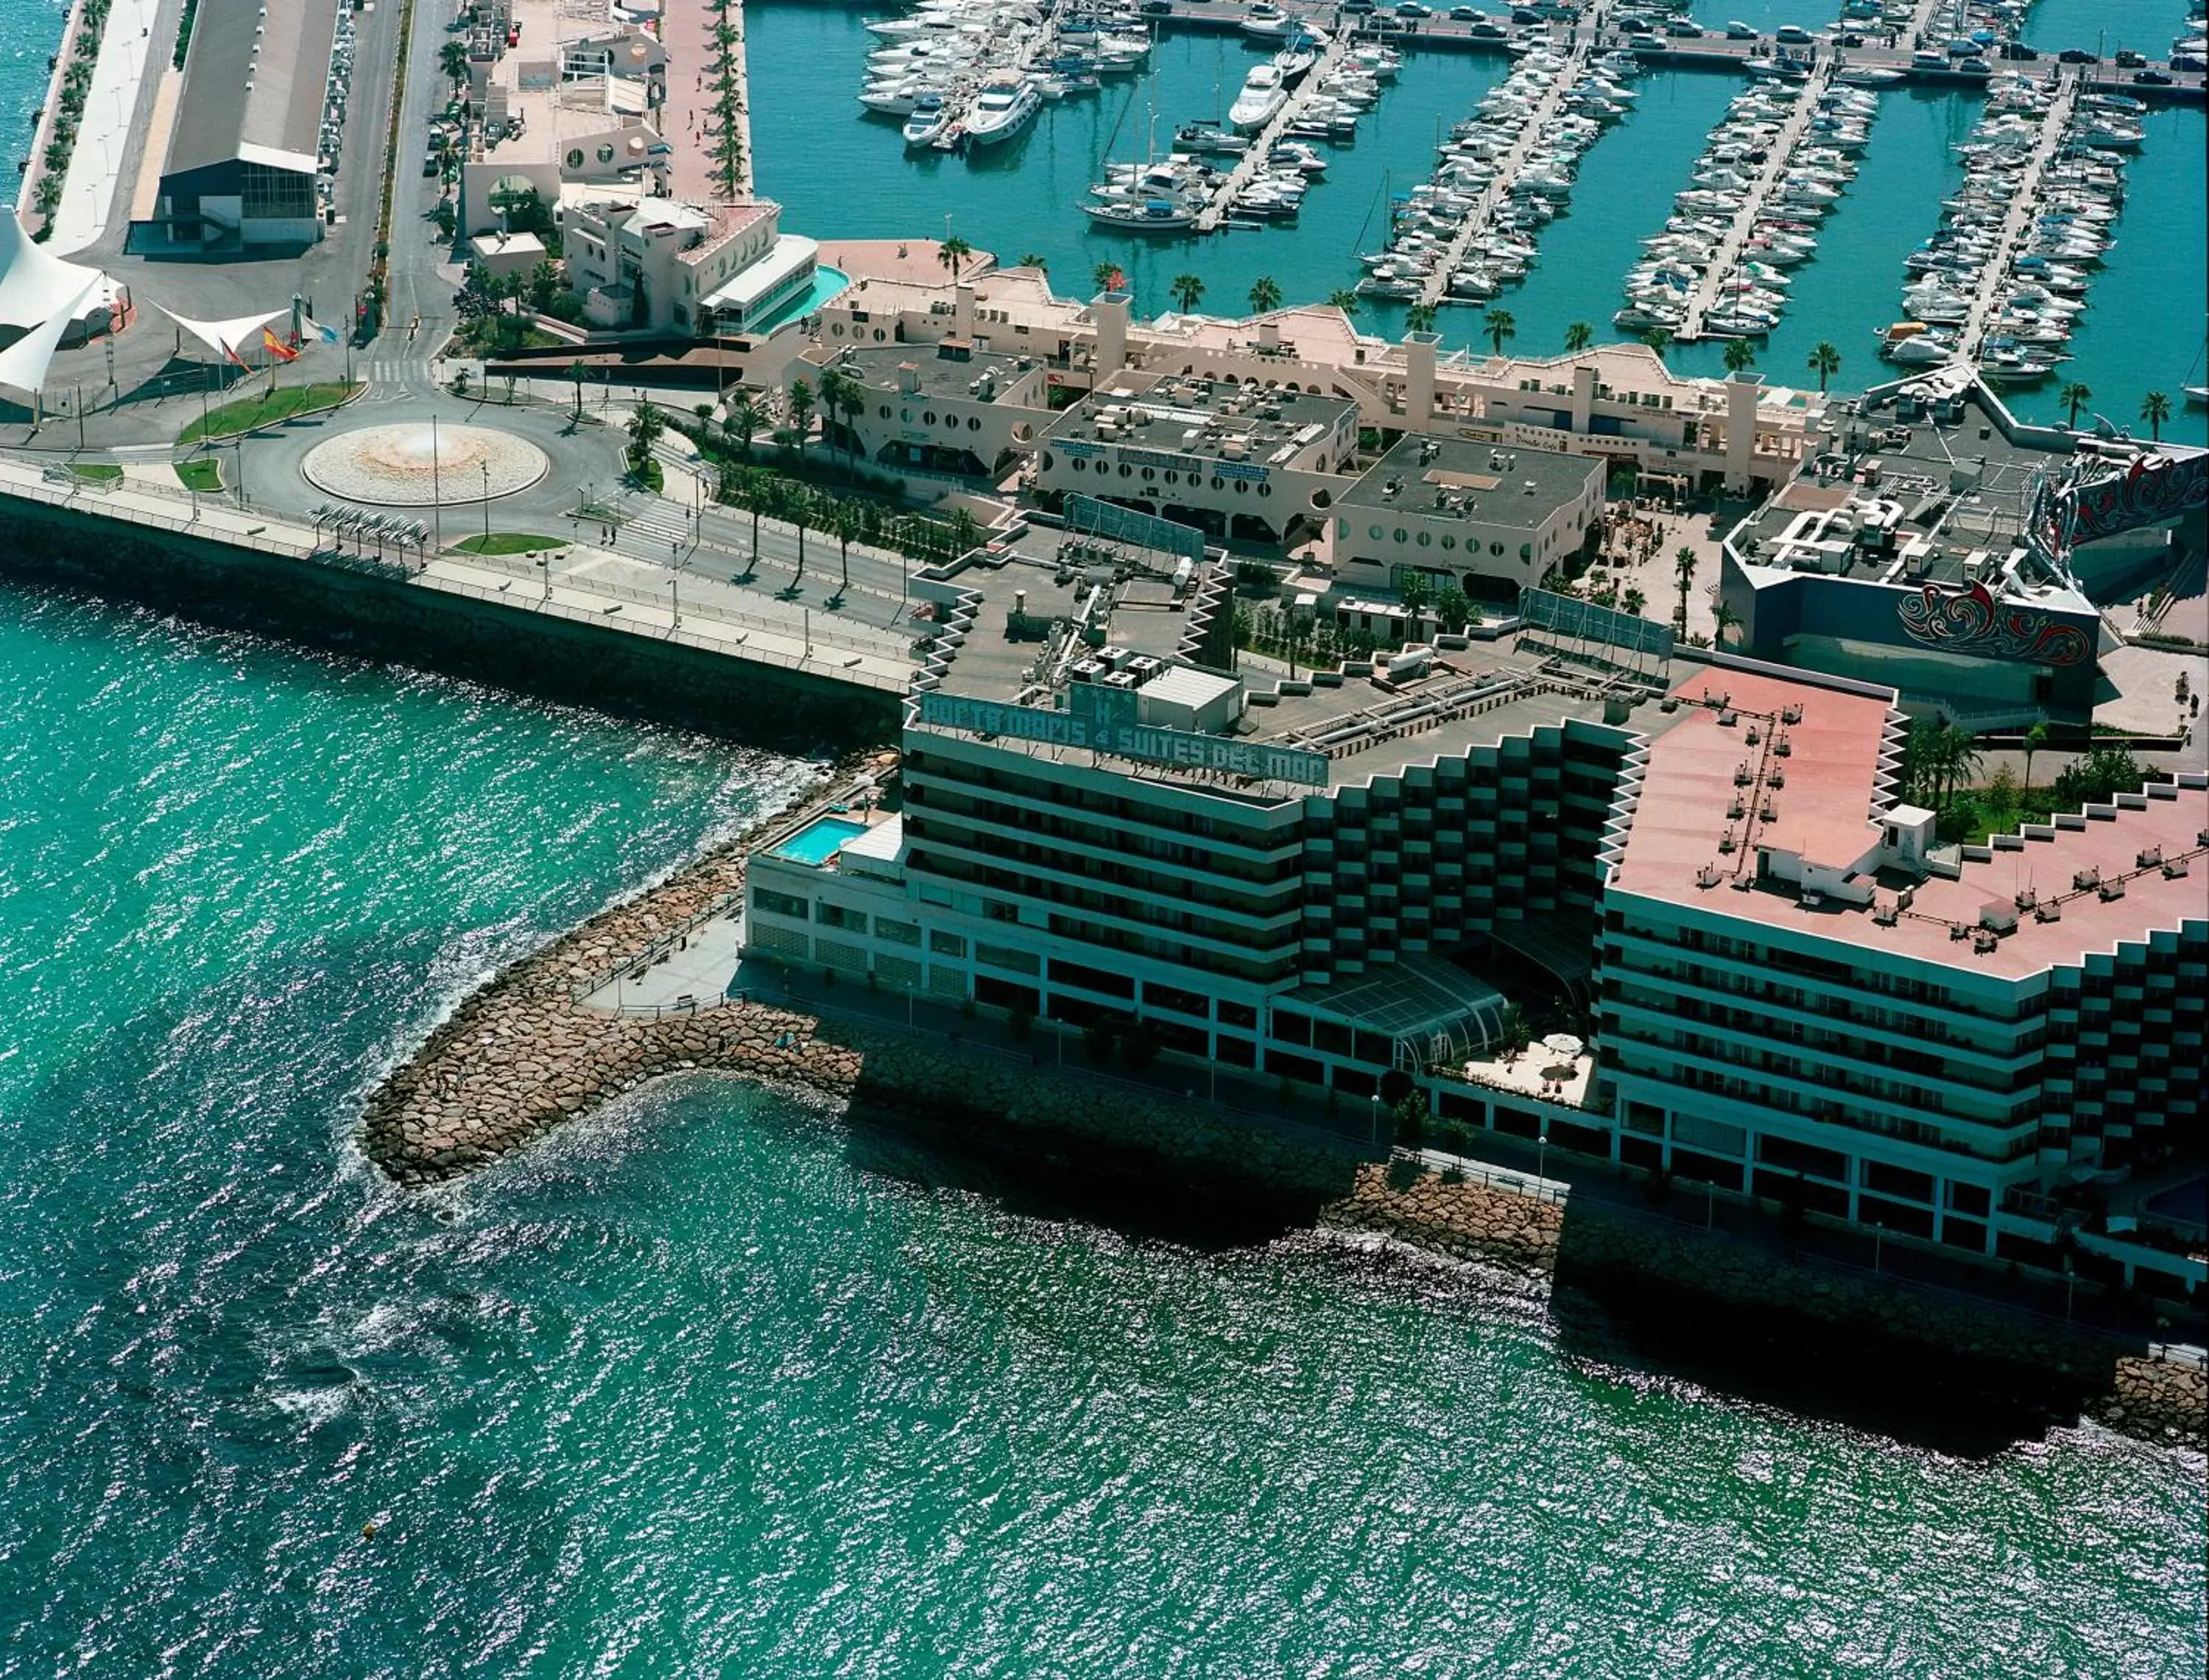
(841, 171)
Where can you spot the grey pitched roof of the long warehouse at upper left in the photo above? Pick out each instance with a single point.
(253, 85)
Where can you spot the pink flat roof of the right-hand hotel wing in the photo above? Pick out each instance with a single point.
(1824, 811)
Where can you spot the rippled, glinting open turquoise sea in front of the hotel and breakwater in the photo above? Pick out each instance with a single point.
(719, 1385)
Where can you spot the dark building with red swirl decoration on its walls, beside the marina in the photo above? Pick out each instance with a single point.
(1960, 555)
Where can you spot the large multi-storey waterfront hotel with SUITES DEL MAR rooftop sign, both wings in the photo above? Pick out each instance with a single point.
(1773, 977)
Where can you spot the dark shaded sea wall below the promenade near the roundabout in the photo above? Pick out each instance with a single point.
(374, 613)
